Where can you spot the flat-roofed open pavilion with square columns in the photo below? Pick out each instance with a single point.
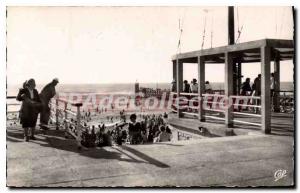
(264, 51)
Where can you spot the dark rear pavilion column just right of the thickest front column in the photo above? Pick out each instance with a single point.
(277, 84)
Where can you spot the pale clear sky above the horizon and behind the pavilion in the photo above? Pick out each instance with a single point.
(128, 44)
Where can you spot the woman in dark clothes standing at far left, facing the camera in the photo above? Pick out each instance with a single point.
(31, 105)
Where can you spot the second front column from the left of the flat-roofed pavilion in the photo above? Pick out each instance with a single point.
(201, 86)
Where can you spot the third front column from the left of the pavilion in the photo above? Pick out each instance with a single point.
(228, 89)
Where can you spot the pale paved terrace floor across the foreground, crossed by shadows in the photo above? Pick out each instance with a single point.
(52, 160)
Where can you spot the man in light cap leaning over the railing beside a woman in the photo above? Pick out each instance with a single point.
(47, 93)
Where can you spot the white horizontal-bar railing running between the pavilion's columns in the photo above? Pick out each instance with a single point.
(251, 106)
